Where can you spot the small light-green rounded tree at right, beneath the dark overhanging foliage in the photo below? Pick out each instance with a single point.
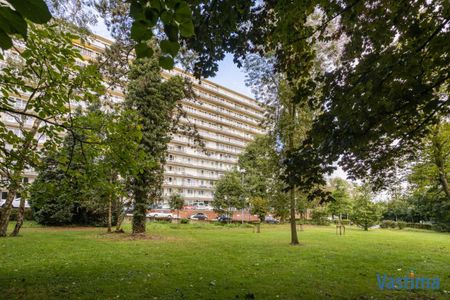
(365, 212)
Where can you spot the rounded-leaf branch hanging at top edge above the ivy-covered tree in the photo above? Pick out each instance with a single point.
(176, 17)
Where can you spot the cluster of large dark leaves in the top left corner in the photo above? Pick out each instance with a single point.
(14, 16)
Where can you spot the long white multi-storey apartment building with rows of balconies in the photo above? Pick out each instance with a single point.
(226, 121)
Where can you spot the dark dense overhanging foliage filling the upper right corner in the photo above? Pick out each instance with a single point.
(378, 109)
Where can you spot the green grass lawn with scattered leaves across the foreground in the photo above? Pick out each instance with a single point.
(215, 262)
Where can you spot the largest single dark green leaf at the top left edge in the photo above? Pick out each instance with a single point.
(34, 10)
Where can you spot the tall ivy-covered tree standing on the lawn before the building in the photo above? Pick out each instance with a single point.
(155, 102)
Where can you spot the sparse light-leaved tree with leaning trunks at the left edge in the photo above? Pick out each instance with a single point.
(50, 93)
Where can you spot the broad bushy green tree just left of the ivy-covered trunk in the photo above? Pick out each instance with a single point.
(85, 178)
